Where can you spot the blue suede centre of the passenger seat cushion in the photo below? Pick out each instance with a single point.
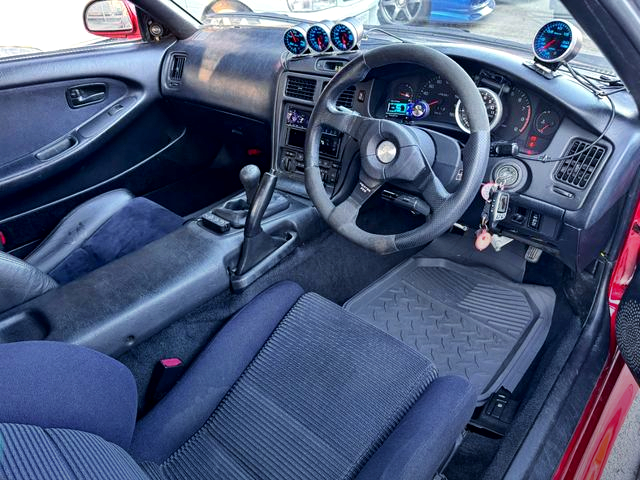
(138, 223)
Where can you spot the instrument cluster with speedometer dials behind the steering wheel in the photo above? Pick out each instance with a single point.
(515, 114)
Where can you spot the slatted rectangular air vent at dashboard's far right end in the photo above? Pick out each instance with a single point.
(578, 170)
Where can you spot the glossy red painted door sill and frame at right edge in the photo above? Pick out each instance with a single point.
(611, 399)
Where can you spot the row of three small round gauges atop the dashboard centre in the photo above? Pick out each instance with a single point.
(323, 37)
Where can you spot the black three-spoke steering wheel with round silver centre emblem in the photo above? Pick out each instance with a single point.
(392, 152)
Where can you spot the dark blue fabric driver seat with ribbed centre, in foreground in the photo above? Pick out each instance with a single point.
(292, 387)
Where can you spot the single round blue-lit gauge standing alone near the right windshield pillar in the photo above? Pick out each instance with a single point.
(557, 41)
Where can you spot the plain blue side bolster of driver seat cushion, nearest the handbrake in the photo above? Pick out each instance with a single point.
(183, 411)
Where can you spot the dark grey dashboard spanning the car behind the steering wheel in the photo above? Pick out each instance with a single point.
(563, 203)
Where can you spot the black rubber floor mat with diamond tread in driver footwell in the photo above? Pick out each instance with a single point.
(469, 321)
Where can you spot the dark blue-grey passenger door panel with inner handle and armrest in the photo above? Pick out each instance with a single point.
(53, 157)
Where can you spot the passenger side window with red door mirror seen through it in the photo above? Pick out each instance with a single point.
(35, 26)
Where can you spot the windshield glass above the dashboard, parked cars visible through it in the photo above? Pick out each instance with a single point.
(514, 21)
